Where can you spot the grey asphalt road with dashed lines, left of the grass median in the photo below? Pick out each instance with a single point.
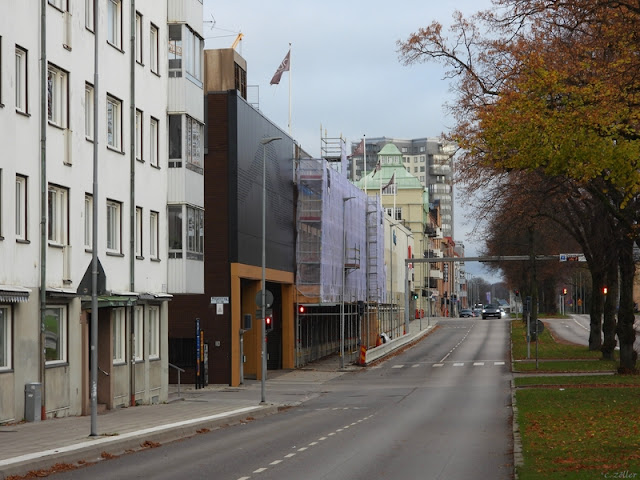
(439, 410)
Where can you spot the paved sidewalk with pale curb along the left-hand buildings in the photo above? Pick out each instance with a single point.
(40, 445)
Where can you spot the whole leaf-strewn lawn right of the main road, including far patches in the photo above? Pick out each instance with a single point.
(576, 427)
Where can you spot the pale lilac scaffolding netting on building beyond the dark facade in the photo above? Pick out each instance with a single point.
(329, 206)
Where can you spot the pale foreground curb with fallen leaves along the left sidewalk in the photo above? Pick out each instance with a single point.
(94, 449)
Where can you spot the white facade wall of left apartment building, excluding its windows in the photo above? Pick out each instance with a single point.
(69, 169)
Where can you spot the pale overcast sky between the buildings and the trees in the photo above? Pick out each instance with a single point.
(345, 74)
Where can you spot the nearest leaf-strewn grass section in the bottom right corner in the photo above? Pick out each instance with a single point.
(579, 433)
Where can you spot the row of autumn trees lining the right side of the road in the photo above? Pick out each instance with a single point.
(547, 117)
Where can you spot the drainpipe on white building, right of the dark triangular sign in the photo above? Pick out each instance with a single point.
(132, 199)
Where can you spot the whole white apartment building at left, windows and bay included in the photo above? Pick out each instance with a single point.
(47, 195)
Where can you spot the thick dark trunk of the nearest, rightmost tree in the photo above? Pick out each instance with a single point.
(626, 317)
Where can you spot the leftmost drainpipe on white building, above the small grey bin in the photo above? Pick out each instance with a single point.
(43, 199)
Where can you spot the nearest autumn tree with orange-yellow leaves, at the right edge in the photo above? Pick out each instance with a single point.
(551, 87)
